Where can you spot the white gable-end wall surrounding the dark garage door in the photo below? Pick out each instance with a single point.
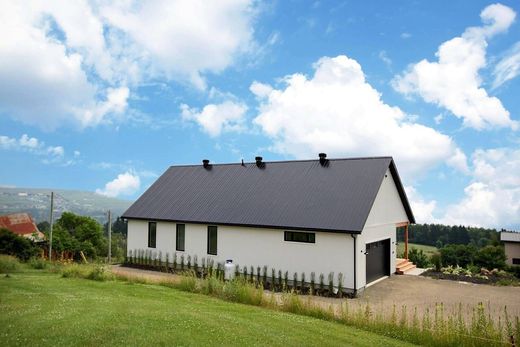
(386, 212)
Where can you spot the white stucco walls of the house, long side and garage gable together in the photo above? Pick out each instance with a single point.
(247, 246)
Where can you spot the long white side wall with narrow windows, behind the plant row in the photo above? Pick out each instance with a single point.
(246, 246)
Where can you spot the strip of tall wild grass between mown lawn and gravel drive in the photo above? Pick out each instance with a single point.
(434, 327)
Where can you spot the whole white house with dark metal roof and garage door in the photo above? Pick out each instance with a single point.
(303, 216)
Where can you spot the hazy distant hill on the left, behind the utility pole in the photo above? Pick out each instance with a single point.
(37, 203)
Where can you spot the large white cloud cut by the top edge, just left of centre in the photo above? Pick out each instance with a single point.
(184, 38)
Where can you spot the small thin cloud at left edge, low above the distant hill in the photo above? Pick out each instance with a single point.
(51, 154)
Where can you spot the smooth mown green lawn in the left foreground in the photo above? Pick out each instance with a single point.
(40, 308)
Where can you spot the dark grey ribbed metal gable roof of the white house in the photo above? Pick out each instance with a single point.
(285, 194)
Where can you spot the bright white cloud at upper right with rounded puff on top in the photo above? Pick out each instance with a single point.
(453, 82)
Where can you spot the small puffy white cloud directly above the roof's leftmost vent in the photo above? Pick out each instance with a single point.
(217, 118)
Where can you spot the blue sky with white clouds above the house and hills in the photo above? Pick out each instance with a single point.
(104, 96)
